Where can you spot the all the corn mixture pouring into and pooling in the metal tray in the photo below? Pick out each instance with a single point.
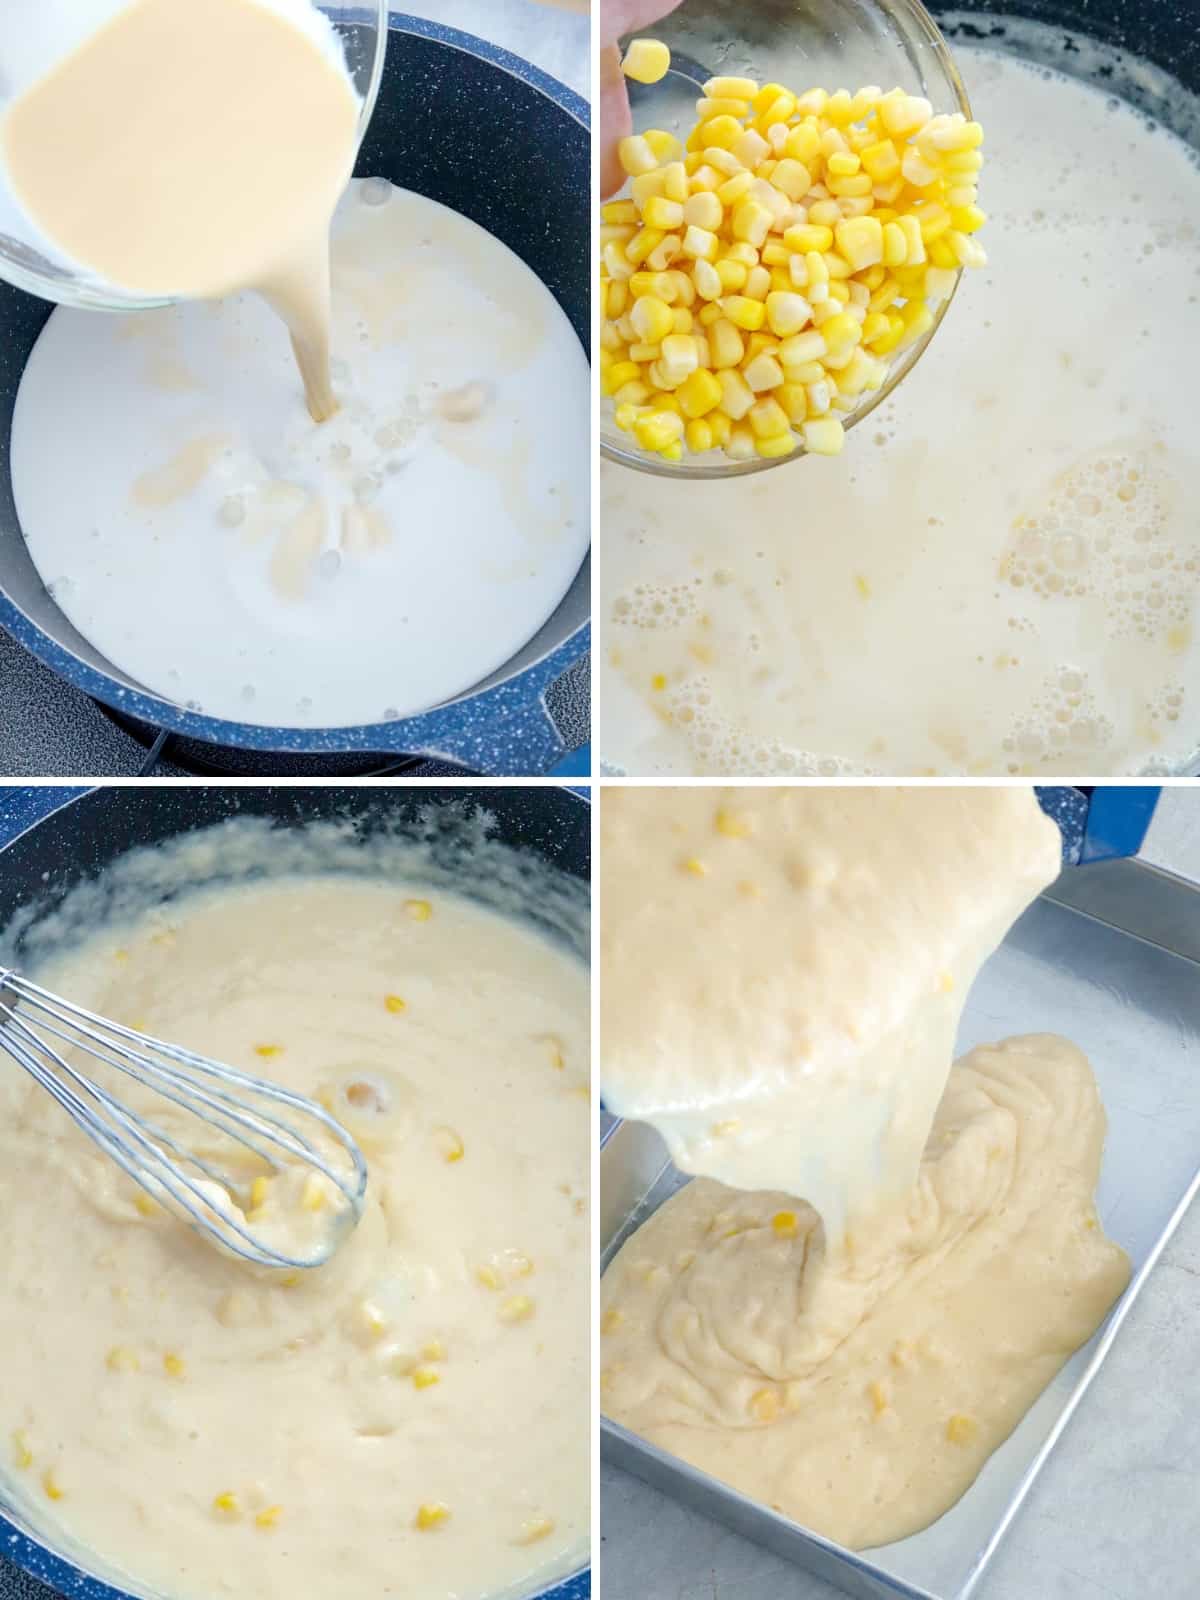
(852, 1329)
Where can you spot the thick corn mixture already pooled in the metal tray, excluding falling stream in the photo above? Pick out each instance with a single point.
(863, 1399)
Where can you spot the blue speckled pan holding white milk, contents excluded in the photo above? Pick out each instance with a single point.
(508, 146)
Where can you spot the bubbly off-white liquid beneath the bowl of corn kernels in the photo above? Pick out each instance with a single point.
(1001, 574)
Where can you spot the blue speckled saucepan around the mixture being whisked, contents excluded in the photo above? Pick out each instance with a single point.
(52, 841)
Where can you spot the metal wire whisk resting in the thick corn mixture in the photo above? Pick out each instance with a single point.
(38, 1030)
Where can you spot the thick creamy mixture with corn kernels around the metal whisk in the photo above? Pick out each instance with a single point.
(410, 1420)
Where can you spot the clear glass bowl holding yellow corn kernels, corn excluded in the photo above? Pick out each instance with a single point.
(802, 44)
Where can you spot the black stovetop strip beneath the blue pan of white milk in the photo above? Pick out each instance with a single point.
(169, 751)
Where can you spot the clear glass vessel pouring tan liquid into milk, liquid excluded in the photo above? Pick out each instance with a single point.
(49, 30)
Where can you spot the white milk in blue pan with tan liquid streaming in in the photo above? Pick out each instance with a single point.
(226, 553)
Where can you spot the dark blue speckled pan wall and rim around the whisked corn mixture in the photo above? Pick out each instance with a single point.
(52, 839)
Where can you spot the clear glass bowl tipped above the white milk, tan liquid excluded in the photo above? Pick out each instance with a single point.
(362, 31)
